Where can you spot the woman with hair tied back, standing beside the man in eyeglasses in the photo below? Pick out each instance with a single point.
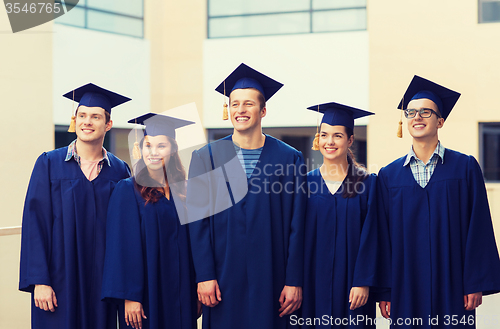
(341, 238)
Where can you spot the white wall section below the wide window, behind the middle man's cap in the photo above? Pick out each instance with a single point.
(314, 68)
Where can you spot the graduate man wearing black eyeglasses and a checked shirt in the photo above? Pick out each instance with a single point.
(433, 200)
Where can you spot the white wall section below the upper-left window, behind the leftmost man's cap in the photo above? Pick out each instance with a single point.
(115, 62)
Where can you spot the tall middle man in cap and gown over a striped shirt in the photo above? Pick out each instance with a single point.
(249, 258)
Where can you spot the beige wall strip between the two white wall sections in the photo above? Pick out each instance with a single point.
(176, 30)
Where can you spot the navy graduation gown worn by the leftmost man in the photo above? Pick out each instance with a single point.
(63, 240)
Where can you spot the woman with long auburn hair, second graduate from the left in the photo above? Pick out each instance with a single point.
(148, 263)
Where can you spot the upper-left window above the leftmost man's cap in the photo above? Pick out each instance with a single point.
(121, 17)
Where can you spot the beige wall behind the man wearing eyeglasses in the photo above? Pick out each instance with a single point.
(440, 41)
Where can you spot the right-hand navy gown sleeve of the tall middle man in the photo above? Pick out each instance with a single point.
(295, 263)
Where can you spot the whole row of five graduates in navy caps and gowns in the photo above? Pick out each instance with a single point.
(317, 249)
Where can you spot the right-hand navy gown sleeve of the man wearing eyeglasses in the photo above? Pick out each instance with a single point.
(482, 264)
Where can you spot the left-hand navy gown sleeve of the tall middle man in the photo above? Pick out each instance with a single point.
(198, 202)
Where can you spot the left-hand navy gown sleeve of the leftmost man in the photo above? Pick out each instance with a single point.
(36, 238)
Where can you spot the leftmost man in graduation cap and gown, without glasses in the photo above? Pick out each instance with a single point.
(64, 220)
